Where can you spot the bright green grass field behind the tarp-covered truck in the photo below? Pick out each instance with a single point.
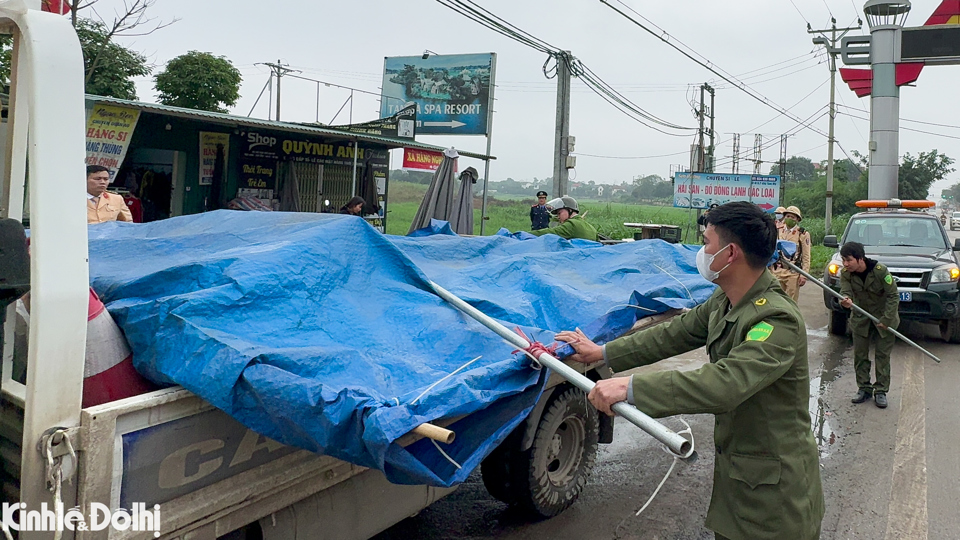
(608, 218)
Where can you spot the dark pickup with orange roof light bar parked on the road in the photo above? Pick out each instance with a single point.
(915, 248)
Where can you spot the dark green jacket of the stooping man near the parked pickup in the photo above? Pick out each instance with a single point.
(877, 295)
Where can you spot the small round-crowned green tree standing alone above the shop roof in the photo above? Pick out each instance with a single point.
(199, 80)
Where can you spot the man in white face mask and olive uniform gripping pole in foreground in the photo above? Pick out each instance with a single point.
(766, 482)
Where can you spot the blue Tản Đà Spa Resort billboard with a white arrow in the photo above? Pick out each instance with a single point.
(453, 93)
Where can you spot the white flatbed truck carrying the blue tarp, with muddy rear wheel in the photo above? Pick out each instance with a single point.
(210, 476)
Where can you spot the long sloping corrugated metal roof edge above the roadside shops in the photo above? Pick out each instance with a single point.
(231, 120)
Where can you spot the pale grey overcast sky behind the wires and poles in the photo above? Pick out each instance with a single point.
(345, 43)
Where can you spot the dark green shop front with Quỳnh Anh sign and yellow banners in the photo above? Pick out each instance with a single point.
(178, 161)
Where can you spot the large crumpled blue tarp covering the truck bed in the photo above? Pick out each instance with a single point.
(319, 332)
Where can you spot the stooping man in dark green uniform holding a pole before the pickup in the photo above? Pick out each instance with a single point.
(868, 284)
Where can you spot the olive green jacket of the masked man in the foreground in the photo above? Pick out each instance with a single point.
(766, 480)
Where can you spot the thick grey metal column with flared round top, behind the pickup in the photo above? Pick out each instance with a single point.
(886, 19)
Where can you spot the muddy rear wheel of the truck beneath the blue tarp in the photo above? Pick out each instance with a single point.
(549, 477)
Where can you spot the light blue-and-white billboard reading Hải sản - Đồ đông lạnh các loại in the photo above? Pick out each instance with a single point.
(700, 190)
